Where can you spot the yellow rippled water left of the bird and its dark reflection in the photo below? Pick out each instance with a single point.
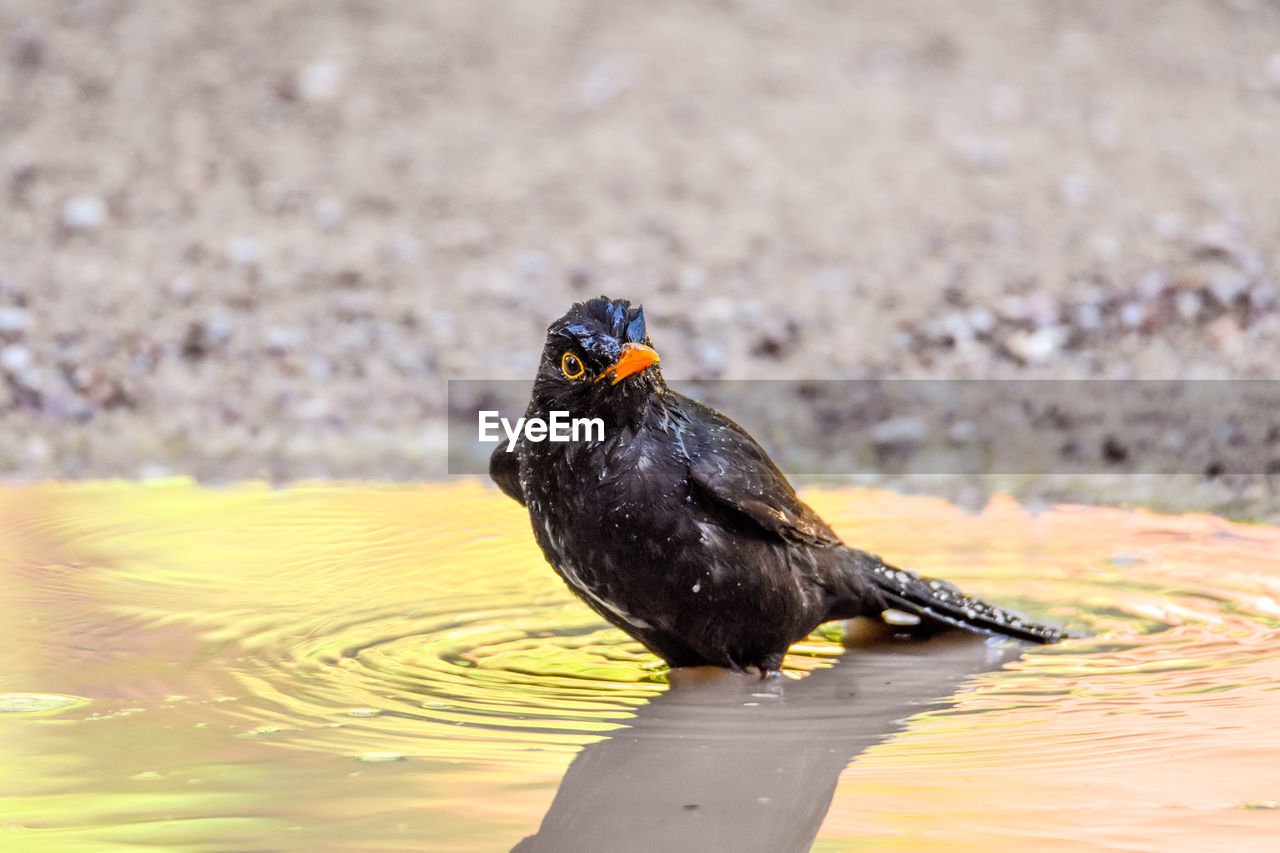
(209, 630)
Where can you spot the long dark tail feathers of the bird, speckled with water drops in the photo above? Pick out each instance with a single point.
(941, 603)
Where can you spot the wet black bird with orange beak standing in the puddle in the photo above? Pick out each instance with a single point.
(680, 530)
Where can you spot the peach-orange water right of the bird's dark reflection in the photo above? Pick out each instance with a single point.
(1155, 735)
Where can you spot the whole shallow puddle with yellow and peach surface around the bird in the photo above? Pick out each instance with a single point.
(367, 669)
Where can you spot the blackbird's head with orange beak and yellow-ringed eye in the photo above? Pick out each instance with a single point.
(598, 363)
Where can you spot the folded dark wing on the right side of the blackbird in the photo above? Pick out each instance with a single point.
(728, 464)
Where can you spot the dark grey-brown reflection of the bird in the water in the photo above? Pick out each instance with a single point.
(729, 763)
